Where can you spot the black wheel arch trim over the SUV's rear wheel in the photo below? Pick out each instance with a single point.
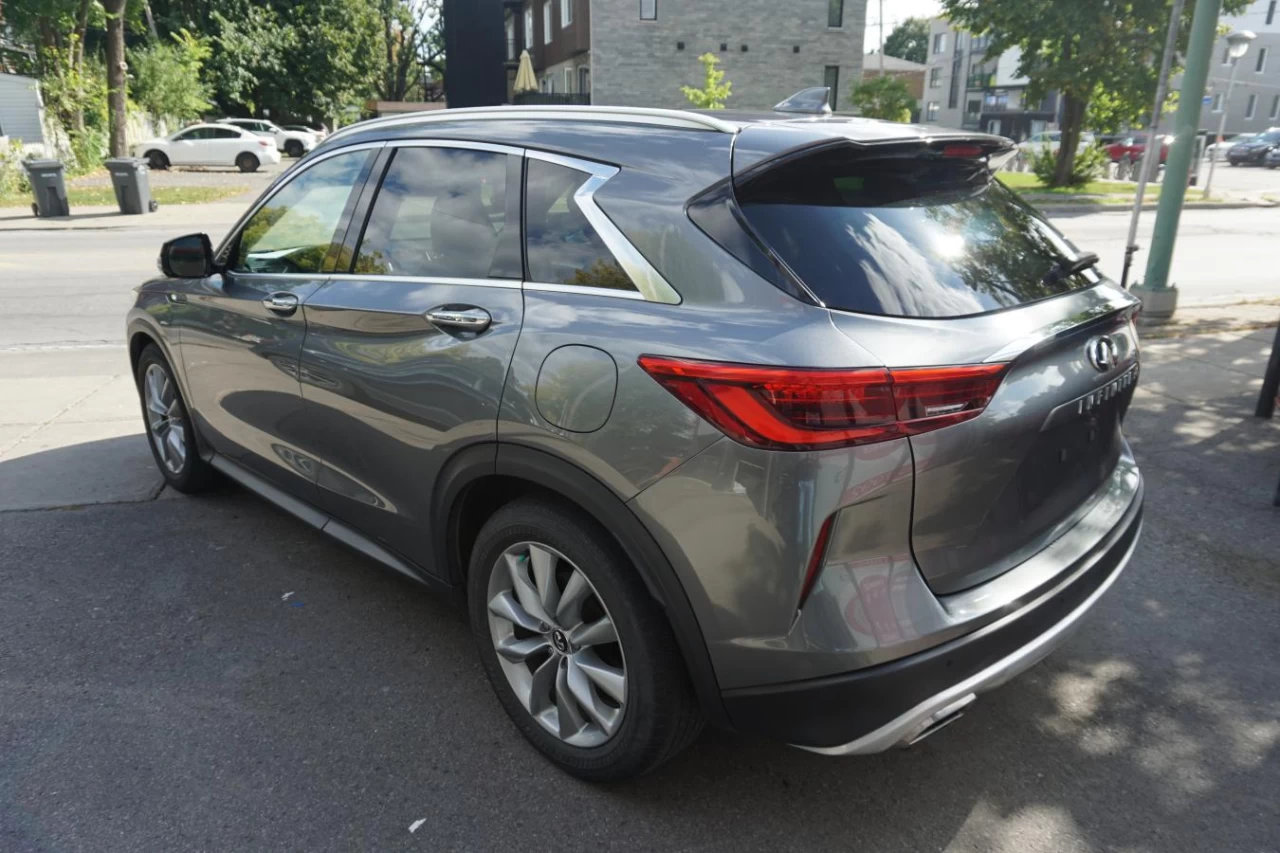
(486, 477)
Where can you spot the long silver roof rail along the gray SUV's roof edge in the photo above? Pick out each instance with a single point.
(682, 120)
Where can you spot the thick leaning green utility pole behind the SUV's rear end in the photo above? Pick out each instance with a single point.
(1160, 300)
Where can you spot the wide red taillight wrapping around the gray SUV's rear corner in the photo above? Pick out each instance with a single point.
(817, 409)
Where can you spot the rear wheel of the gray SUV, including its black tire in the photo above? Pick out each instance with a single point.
(651, 718)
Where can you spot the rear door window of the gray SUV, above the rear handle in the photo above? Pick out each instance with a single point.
(441, 213)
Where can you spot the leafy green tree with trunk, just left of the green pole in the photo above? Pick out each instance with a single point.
(1084, 49)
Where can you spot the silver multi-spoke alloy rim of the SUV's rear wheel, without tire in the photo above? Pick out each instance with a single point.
(557, 645)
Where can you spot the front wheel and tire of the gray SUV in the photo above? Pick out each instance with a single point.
(191, 475)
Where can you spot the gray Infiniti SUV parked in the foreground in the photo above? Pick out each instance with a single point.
(803, 427)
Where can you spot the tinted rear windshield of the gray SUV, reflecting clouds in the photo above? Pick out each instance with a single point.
(908, 236)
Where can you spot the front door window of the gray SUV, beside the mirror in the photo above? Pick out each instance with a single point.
(294, 231)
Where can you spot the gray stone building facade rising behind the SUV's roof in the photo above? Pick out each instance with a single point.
(641, 63)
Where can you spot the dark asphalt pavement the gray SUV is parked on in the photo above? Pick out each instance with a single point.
(216, 659)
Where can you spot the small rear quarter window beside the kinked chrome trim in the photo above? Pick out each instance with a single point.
(563, 247)
